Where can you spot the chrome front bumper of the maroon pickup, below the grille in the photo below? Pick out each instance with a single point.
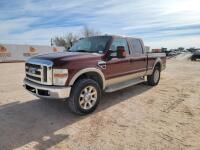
(47, 92)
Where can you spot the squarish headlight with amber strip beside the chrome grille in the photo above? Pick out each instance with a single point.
(60, 76)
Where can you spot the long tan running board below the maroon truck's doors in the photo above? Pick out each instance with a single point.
(123, 85)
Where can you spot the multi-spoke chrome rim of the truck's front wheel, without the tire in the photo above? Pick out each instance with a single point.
(88, 97)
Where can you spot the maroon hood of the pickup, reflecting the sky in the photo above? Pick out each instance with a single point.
(62, 58)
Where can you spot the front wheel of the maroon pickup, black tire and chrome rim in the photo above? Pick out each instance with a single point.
(81, 100)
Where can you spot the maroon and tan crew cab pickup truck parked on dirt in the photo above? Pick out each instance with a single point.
(92, 66)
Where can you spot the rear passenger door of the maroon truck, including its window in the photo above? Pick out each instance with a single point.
(138, 59)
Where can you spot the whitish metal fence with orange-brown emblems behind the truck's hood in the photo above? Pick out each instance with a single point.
(14, 53)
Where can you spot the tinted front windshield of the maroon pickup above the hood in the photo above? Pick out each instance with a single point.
(91, 44)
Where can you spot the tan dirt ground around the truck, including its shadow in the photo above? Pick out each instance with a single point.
(141, 117)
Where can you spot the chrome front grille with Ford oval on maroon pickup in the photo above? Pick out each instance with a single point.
(39, 71)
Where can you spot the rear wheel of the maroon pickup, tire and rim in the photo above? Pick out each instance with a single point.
(154, 79)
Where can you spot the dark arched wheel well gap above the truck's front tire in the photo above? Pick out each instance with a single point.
(91, 75)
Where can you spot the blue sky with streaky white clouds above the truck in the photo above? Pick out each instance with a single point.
(166, 23)
